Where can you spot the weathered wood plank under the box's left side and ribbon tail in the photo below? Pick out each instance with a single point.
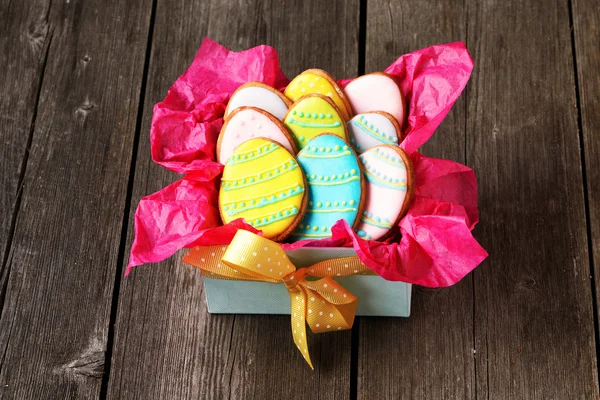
(166, 344)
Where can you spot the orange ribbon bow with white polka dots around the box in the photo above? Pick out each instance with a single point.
(324, 304)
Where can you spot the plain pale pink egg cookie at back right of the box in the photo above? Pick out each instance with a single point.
(376, 92)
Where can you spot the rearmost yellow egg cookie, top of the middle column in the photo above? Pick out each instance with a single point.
(318, 81)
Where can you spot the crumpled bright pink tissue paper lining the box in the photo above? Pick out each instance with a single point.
(436, 247)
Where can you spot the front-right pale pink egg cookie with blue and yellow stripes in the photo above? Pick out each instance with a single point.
(389, 190)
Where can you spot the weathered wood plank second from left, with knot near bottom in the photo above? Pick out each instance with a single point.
(62, 261)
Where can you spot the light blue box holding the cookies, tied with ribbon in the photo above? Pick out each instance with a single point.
(377, 297)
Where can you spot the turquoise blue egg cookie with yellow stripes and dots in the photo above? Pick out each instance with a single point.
(335, 186)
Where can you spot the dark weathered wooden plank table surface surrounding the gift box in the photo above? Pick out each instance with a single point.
(78, 83)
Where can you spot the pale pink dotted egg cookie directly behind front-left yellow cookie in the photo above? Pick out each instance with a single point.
(245, 123)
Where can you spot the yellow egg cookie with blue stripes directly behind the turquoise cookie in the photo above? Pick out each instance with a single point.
(312, 115)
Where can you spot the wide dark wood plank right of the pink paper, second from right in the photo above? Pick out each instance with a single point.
(534, 330)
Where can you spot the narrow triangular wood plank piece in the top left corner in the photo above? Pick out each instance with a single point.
(24, 38)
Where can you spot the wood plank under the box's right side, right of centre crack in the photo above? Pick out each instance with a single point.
(429, 355)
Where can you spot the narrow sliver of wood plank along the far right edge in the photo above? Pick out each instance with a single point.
(586, 31)
